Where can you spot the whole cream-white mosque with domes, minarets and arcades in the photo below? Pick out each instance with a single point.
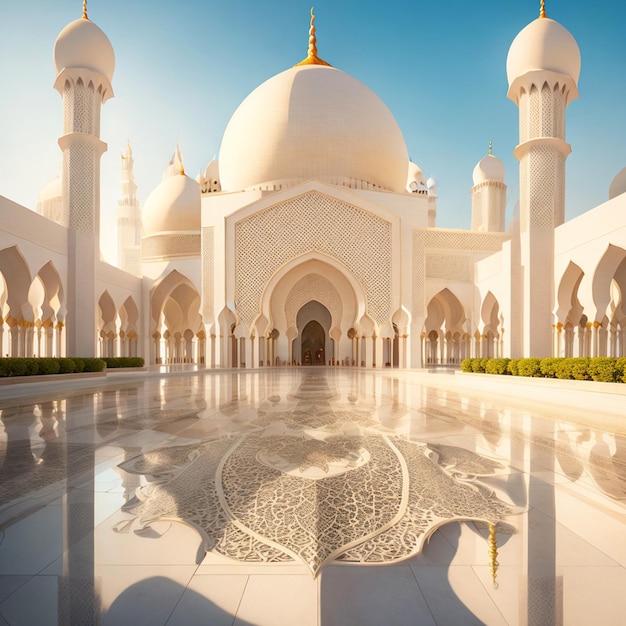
(315, 242)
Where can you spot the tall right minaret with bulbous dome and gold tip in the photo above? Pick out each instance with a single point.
(543, 66)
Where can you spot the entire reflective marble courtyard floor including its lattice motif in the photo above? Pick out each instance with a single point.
(311, 496)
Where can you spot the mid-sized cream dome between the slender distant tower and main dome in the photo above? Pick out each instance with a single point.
(174, 206)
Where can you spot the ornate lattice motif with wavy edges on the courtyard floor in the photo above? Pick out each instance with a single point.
(315, 482)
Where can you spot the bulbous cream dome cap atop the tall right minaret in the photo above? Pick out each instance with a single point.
(543, 45)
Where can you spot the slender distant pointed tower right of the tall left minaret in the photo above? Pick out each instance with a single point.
(129, 219)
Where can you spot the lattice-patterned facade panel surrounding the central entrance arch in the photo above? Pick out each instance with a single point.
(267, 240)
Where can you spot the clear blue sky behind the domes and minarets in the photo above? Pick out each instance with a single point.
(183, 68)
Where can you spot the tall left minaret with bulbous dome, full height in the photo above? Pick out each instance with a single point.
(84, 61)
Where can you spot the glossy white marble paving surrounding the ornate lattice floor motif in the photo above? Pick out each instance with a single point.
(62, 527)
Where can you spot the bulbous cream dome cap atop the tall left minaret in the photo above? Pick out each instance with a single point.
(81, 44)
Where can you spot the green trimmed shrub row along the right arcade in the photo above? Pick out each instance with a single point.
(601, 369)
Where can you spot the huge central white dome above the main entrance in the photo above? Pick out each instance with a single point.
(313, 121)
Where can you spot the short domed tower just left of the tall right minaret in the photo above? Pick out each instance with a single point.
(488, 194)
